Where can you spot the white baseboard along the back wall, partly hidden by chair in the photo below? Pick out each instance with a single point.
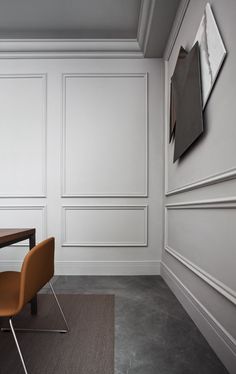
(96, 267)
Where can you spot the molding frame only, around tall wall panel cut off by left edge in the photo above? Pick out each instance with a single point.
(42, 76)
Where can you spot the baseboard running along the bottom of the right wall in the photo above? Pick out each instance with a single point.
(219, 339)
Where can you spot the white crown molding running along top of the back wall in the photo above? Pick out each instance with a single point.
(70, 48)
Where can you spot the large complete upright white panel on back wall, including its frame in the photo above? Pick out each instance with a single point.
(105, 135)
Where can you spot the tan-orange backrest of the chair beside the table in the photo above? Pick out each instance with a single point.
(37, 269)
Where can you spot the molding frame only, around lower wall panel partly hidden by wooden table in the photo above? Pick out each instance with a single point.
(22, 208)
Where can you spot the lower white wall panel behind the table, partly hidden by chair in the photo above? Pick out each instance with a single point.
(24, 217)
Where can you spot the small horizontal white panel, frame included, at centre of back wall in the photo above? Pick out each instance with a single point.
(104, 226)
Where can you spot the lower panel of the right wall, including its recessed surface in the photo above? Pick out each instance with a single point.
(193, 236)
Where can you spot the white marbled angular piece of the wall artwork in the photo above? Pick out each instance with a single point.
(212, 51)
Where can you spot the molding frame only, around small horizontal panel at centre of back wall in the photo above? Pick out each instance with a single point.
(66, 243)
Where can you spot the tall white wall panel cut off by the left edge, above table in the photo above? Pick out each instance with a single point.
(22, 141)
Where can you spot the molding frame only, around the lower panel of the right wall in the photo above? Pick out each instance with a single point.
(226, 203)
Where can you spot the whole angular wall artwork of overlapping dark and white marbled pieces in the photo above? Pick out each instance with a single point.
(192, 82)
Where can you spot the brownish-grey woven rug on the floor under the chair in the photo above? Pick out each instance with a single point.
(87, 349)
